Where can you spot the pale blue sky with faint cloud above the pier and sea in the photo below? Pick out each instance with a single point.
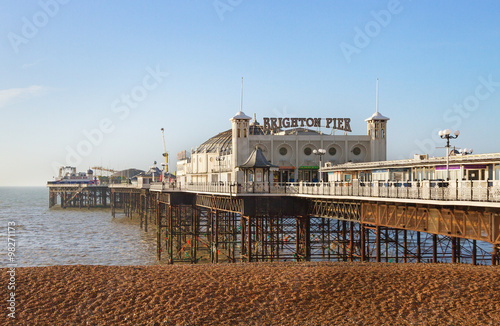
(91, 83)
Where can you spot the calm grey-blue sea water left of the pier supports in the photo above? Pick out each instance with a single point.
(46, 237)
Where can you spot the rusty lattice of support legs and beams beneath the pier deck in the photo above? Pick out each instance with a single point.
(223, 230)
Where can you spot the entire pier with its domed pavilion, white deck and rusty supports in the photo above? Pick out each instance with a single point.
(229, 202)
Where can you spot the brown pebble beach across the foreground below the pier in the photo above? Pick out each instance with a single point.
(256, 294)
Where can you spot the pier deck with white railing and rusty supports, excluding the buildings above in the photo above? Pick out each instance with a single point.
(331, 221)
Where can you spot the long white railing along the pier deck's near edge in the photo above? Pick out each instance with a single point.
(488, 191)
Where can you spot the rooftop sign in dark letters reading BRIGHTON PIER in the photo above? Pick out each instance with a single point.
(334, 123)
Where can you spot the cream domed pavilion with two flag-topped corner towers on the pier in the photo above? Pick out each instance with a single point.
(287, 143)
